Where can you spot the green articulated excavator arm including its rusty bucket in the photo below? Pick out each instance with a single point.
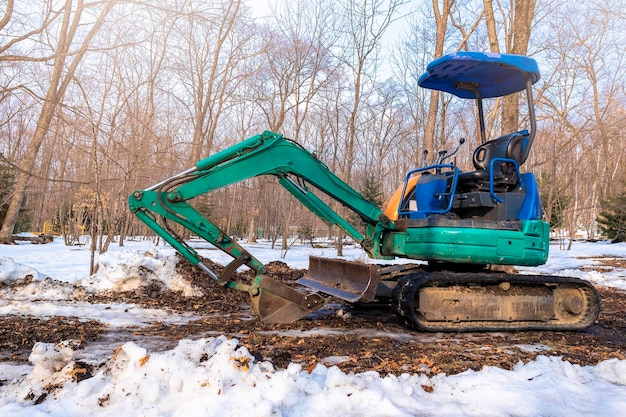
(265, 154)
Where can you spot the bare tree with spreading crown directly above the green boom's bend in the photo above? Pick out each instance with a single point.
(296, 64)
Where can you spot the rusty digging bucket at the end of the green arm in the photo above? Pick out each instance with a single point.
(279, 303)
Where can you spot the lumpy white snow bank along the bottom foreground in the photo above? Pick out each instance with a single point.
(217, 376)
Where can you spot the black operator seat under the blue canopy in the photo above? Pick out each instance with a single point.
(505, 174)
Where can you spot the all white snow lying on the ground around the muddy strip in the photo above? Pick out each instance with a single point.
(216, 376)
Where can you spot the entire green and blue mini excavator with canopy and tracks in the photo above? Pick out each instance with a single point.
(461, 224)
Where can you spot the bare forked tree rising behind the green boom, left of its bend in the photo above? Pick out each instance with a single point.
(212, 43)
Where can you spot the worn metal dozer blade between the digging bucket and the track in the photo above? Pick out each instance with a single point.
(350, 281)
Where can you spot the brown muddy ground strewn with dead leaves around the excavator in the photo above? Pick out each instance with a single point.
(355, 339)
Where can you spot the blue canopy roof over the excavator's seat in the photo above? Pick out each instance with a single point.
(493, 74)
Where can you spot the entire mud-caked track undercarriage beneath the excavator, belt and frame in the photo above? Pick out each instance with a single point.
(453, 301)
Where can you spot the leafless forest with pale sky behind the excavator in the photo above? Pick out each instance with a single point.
(100, 98)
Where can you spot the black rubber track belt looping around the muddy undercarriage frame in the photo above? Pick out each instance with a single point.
(405, 291)
